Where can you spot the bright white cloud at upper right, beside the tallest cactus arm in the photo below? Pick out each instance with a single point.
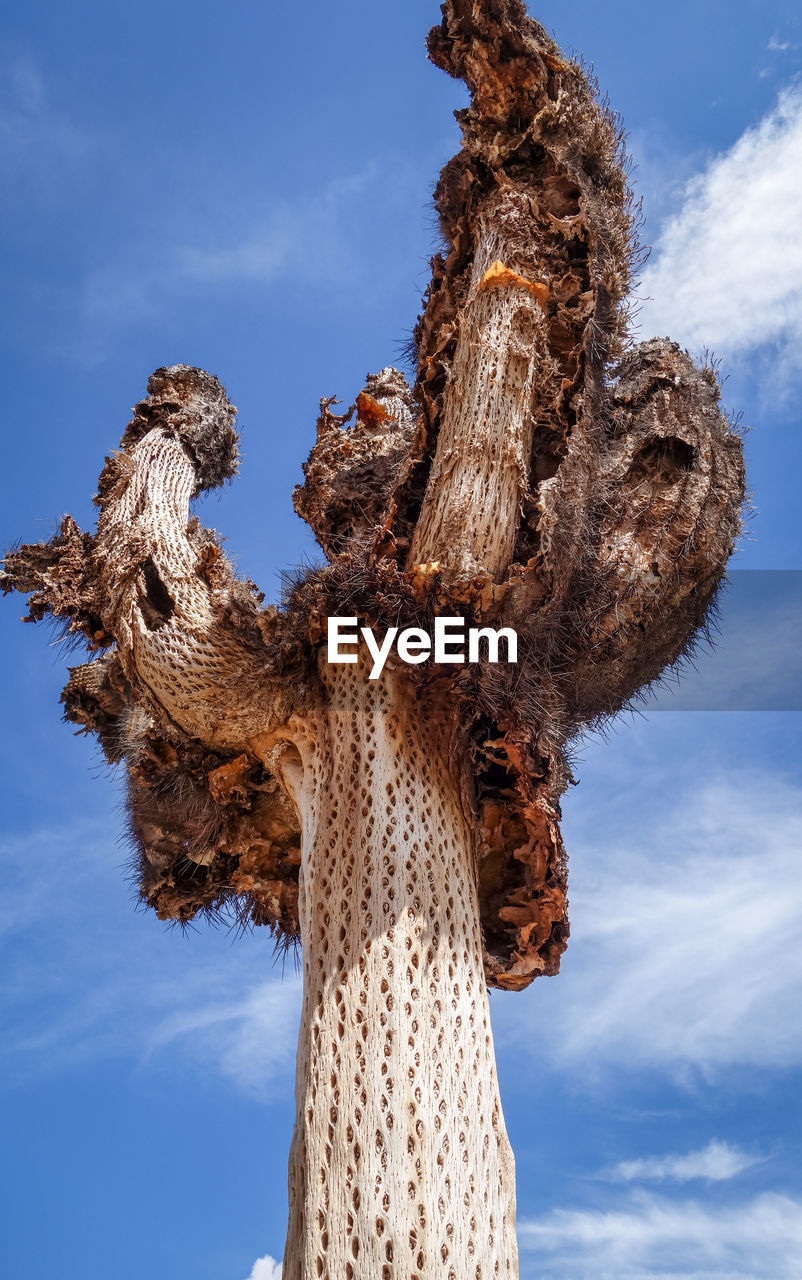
(727, 269)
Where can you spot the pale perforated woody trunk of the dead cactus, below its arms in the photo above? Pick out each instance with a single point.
(401, 1168)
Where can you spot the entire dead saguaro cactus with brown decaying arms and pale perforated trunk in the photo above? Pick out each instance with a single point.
(543, 474)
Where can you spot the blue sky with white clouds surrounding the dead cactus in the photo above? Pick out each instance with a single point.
(232, 188)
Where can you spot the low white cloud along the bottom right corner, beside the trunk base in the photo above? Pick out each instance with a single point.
(653, 1237)
